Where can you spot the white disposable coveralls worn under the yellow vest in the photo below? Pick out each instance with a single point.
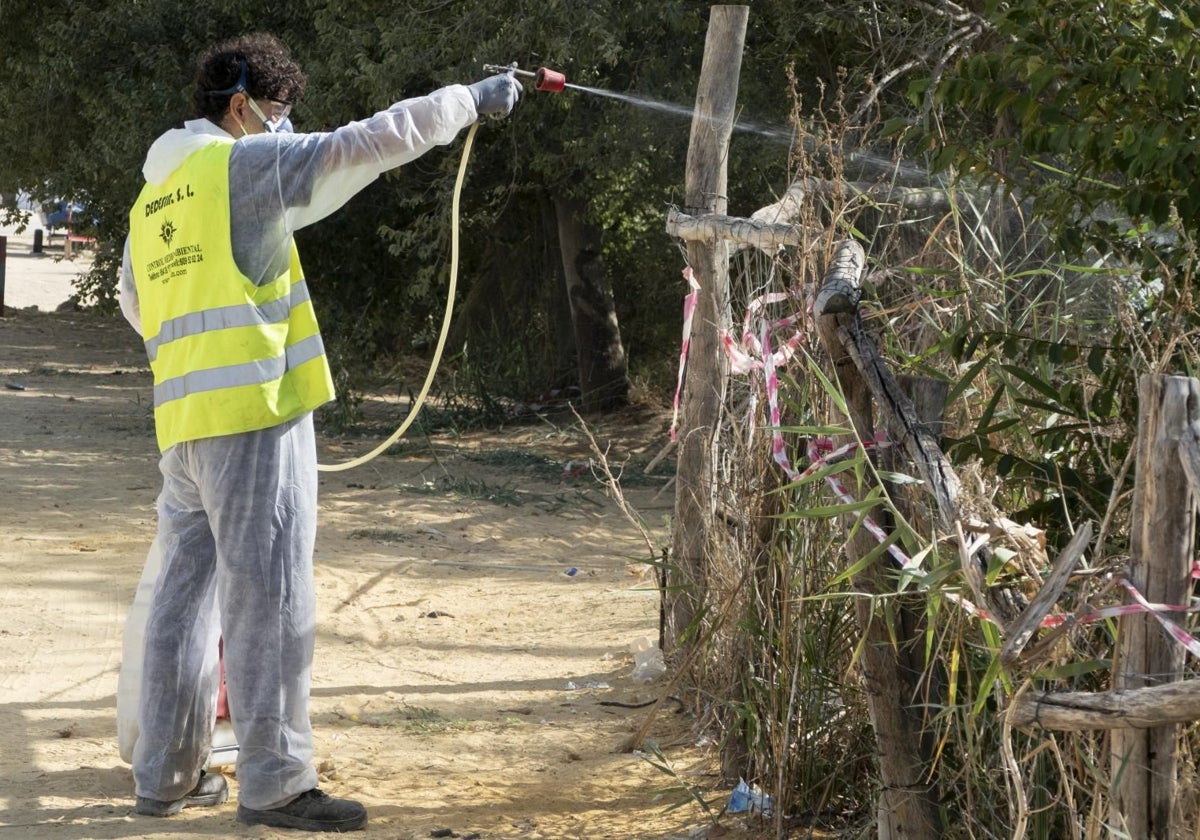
(237, 514)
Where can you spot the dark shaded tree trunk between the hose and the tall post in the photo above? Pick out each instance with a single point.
(604, 380)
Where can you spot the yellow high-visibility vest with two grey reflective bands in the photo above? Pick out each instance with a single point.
(227, 356)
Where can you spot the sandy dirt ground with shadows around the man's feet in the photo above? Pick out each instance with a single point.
(461, 676)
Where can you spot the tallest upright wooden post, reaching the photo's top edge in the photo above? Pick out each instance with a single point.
(707, 375)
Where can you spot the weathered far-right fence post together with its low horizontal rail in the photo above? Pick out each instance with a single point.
(1148, 700)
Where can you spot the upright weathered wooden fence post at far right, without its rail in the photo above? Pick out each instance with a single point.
(1162, 538)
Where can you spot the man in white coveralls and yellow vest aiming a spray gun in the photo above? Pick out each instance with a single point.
(213, 283)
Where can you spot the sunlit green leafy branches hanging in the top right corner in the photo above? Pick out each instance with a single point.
(1095, 106)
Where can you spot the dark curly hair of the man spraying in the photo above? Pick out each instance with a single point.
(271, 74)
